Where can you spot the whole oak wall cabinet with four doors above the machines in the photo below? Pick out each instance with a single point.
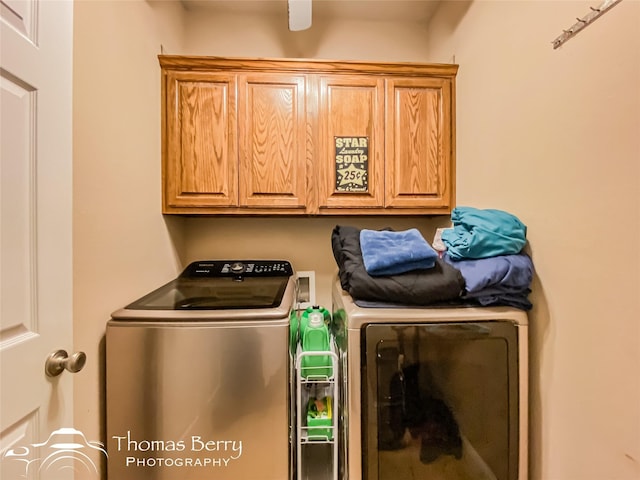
(307, 137)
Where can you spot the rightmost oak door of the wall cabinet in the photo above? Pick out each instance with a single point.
(418, 143)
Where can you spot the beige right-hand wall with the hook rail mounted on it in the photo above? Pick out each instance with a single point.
(554, 136)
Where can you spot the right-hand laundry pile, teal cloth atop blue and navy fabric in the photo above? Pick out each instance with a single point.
(486, 246)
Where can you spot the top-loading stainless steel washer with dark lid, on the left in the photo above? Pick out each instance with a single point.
(198, 376)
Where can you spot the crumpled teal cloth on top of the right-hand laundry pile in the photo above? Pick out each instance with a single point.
(486, 233)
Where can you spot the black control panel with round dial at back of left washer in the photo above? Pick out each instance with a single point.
(234, 268)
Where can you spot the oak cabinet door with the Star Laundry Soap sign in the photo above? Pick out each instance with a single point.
(351, 141)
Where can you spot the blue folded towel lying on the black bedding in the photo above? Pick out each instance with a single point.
(386, 252)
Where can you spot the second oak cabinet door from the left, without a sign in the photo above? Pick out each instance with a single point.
(272, 132)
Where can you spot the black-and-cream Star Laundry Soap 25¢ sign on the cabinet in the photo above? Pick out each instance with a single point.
(352, 164)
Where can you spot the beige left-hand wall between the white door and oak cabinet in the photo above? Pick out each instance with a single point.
(122, 245)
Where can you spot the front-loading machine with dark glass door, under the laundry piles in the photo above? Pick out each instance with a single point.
(438, 392)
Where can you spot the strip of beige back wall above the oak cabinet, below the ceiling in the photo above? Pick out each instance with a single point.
(268, 36)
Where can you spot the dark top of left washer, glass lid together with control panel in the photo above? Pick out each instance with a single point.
(221, 285)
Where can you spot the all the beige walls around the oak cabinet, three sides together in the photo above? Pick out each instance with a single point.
(551, 136)
